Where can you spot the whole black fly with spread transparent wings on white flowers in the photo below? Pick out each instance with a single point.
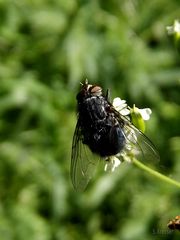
(102, 131)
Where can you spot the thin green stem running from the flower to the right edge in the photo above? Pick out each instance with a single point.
(156, 174)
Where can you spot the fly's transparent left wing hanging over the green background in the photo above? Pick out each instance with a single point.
(83, 161)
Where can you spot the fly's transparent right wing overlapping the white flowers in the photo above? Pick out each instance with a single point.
(138, 144)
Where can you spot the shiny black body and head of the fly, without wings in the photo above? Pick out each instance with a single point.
(100, 129)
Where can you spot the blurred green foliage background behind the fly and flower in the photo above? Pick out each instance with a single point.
(46, 49)
